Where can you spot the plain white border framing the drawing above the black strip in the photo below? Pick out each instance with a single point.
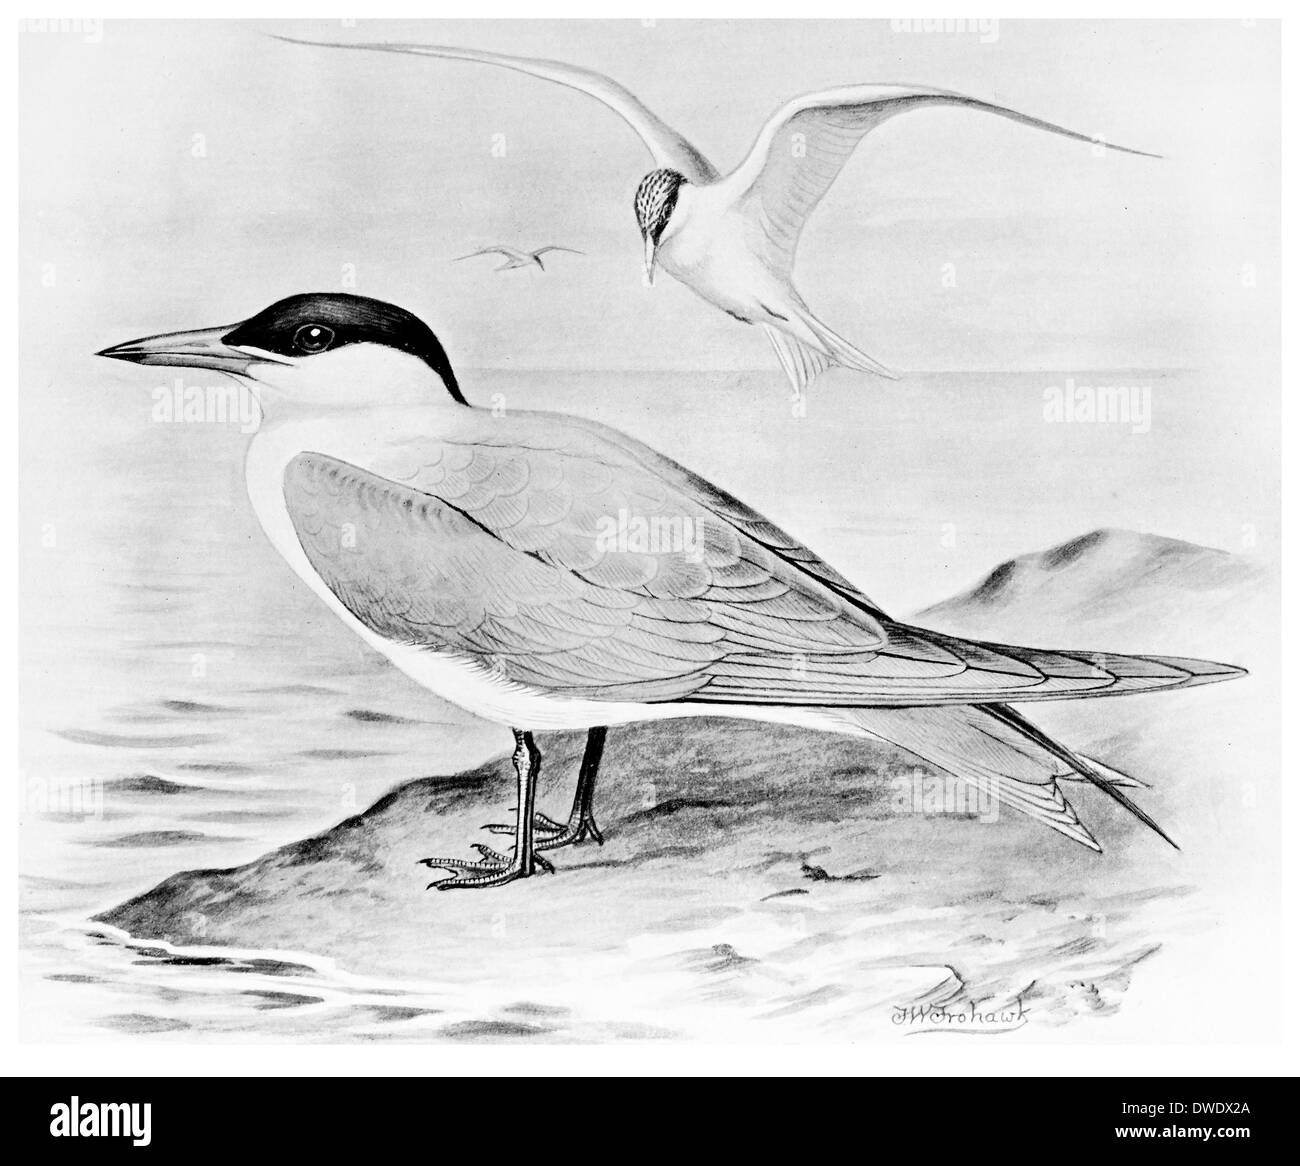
(674, 1060)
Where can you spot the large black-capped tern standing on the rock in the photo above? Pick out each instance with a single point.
(548, 573)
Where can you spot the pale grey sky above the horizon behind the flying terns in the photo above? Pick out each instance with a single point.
(185, 174)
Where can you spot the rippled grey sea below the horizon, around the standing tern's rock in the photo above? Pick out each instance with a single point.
(187, 704)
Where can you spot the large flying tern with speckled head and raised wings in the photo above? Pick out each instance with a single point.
(733, 240)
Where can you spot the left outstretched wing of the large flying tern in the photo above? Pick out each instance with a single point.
(666, 145)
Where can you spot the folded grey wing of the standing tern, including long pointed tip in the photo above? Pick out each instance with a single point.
(586, 577)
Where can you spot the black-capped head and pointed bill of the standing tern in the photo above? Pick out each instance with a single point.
(311, 352)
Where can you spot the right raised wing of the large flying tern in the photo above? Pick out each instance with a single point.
(803, 149)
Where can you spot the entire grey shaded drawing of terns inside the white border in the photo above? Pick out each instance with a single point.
(415, 580)
